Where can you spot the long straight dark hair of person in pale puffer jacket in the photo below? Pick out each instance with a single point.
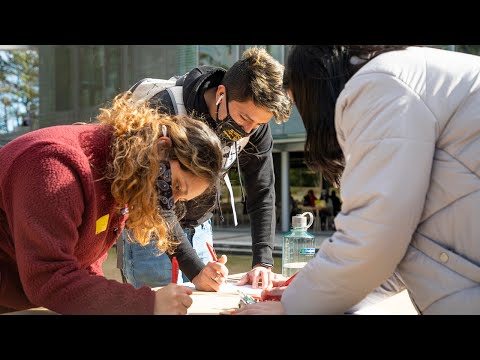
(315, 76)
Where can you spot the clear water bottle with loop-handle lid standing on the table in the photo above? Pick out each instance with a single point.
(298, 245)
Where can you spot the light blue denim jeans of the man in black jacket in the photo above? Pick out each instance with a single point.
(143, 265)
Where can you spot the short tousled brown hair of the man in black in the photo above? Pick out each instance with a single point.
(258, 76)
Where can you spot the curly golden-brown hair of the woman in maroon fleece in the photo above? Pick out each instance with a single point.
(136, 155)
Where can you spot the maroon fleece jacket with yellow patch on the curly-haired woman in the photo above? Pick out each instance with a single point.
(57, 222)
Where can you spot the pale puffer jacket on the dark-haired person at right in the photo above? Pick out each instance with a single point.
(409, 126)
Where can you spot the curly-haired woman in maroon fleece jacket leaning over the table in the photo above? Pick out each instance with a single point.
(66, 193)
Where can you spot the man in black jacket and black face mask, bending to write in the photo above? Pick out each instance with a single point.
(238, 105)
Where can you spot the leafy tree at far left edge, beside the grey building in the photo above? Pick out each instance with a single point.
(19, 84)
